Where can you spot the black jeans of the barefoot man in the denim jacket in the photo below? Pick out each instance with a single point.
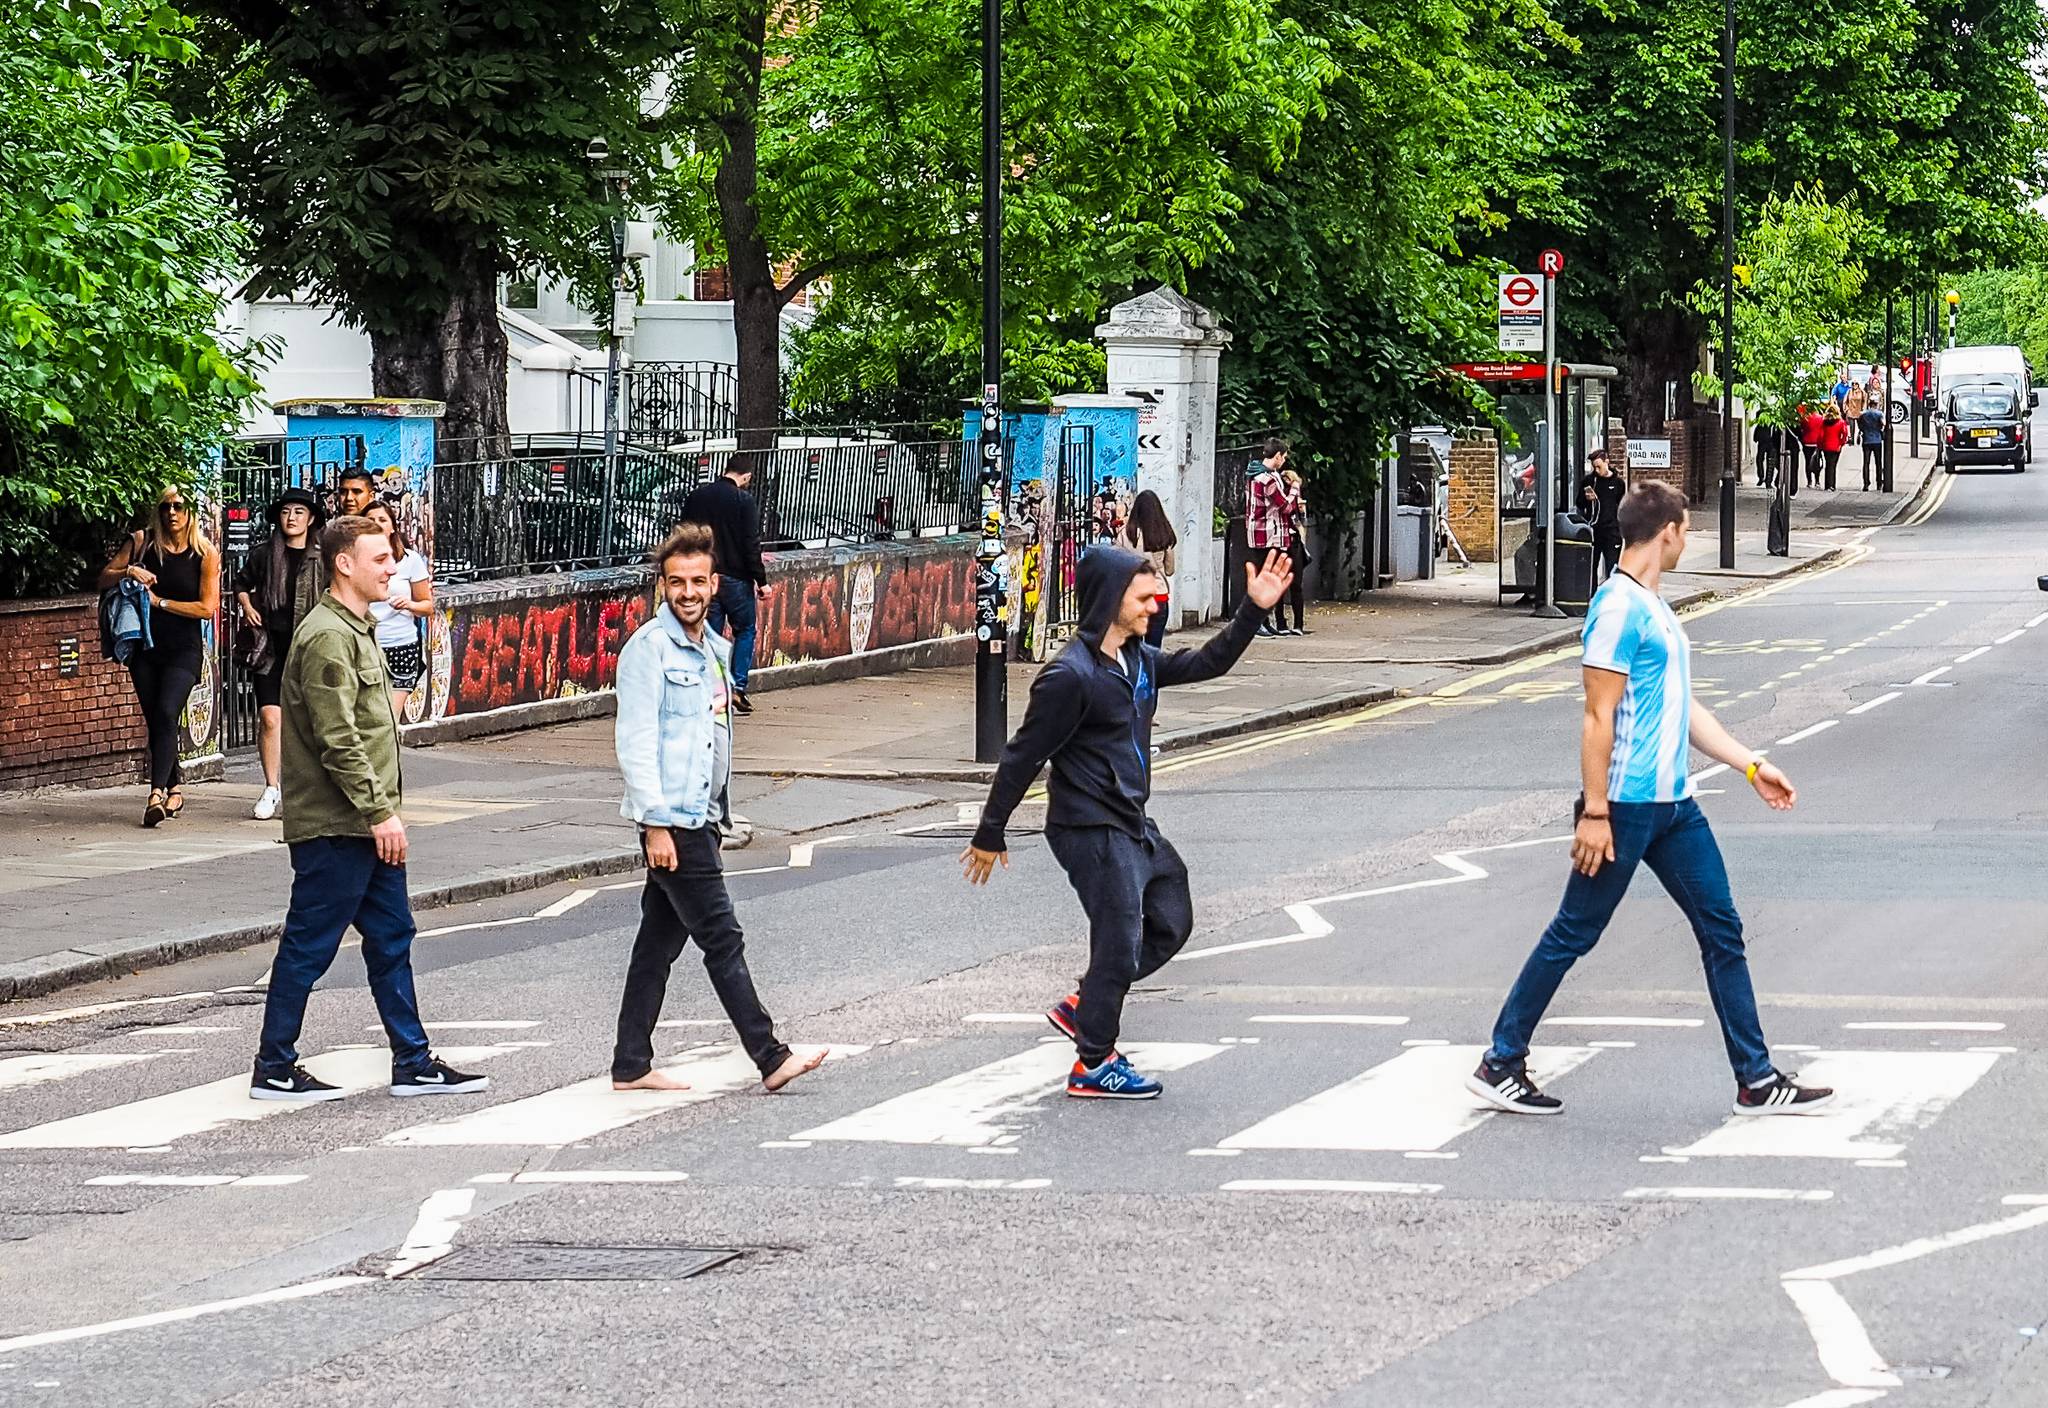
(681, 906)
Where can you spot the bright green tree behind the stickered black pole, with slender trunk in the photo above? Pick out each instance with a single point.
(843, 144)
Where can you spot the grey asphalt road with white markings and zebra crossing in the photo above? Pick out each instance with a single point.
(1314, 1215)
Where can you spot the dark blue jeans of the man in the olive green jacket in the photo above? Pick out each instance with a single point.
(339, 883)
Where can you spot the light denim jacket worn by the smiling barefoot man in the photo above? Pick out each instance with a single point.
(665, 730)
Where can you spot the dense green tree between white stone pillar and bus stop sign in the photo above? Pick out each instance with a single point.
(1347, 281)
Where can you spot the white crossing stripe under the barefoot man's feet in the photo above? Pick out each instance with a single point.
(589, 1108)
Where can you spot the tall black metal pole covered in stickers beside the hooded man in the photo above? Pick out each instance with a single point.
(992, 631)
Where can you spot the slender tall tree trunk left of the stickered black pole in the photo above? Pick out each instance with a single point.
(757, 300)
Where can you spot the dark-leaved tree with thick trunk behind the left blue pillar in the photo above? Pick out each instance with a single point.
(398, 159)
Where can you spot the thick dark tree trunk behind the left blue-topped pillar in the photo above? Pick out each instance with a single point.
(458, 359)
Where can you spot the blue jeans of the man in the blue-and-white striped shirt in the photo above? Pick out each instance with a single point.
(1678, 846)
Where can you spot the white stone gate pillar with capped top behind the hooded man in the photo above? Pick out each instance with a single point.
(1164, 349)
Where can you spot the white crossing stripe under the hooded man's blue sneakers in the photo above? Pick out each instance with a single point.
(982, 1106)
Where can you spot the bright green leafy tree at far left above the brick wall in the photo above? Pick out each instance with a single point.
(114, 240)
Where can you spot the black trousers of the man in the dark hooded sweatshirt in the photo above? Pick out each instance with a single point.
(1140, 914)
